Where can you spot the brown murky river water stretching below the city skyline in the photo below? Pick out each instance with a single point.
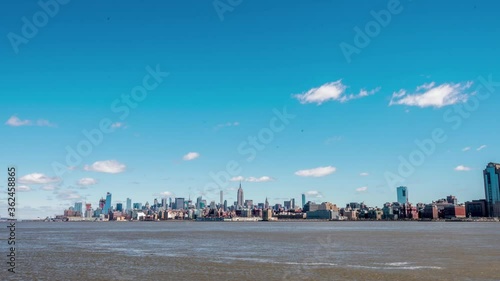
(256, 251)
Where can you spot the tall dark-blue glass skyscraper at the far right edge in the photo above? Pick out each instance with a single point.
(492, 189)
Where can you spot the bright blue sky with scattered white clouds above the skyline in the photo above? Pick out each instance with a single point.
(230, 69)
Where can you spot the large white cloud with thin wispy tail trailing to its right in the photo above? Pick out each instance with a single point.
(331, 91)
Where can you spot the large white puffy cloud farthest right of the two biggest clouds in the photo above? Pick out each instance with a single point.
(430, 95)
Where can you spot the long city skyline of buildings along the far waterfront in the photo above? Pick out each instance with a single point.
(402, 209)
